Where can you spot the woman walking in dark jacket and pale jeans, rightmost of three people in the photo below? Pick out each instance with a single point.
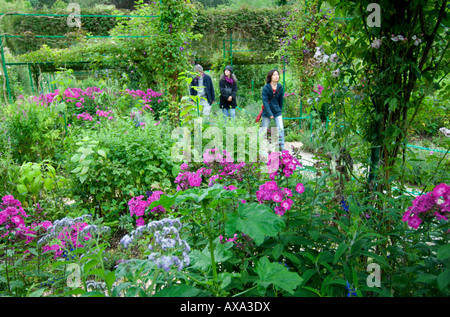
(272, 97)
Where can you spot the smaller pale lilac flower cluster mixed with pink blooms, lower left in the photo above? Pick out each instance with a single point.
(65, 235)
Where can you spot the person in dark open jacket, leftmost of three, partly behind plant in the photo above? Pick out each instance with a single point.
(205, 90)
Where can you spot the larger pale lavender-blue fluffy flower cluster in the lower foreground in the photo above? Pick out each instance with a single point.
(167, 248)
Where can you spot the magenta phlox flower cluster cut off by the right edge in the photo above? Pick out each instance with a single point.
(434, 204)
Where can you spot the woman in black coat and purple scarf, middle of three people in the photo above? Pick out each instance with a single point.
(228, 90)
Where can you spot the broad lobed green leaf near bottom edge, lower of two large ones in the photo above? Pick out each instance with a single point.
(277, 275)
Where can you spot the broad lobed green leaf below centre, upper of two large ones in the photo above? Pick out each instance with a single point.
(255, 220)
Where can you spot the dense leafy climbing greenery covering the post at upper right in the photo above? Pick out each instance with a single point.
(396, 53)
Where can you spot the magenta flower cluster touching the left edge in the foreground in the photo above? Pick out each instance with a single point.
(12, 219)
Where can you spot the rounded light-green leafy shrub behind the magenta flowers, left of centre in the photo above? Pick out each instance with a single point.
(119, 160)
